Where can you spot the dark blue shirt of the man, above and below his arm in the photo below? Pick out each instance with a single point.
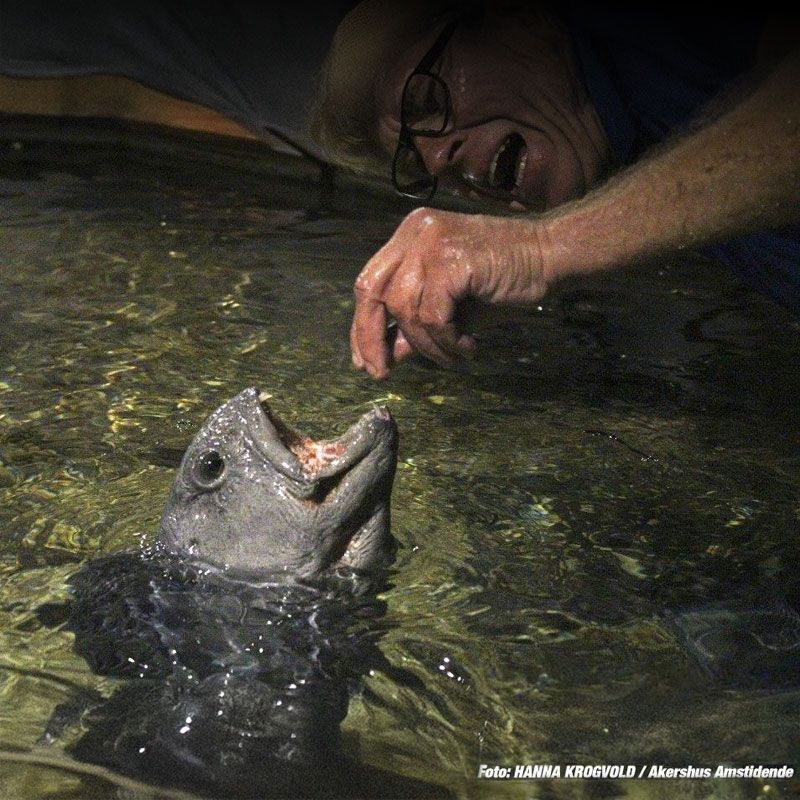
(650, 74)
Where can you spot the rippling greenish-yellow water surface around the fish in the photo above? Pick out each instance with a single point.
(623, 457)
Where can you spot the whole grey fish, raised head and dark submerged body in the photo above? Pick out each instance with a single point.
(243, 631)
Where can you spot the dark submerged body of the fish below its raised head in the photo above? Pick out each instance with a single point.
(227, 689)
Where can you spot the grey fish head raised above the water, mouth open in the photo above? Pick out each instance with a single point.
(258, 498)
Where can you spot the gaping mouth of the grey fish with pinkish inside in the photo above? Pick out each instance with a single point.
(317, 468)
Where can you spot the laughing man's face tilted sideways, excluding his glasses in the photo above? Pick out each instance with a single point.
(523, 127)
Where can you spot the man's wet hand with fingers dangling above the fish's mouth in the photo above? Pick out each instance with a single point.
(434, 260)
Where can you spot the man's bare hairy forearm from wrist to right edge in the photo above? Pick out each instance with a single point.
(736, 174)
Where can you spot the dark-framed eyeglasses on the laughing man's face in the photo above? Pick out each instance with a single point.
(425, 110)
